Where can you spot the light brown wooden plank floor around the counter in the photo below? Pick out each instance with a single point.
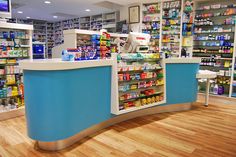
(201, 132)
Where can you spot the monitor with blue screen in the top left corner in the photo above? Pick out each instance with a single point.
(5, 9)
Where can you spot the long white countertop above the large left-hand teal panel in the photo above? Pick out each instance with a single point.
(58, 64)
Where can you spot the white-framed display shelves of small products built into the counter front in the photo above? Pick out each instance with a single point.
(140, 83)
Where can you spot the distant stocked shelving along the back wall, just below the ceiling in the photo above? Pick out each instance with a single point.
(51, 33)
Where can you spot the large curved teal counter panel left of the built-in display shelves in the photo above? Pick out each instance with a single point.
(62, 103)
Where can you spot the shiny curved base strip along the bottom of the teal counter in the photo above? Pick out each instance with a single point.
(61, 144)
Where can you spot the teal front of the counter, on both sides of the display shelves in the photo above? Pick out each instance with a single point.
(62, 103)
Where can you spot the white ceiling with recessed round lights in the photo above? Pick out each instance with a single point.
(37, 9)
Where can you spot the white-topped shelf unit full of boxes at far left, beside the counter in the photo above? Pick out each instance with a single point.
(15, 45)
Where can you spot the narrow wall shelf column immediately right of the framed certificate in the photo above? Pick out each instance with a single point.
(152, 24)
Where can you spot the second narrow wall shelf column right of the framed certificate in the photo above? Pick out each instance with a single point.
(171, 28)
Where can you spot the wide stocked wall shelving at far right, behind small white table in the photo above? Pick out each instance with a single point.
(214, 42)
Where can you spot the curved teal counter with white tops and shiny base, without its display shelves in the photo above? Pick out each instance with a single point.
(66, 101)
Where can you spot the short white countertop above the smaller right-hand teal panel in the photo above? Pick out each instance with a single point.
(182, 60)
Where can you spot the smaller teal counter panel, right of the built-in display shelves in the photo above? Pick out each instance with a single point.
(181, 84)
